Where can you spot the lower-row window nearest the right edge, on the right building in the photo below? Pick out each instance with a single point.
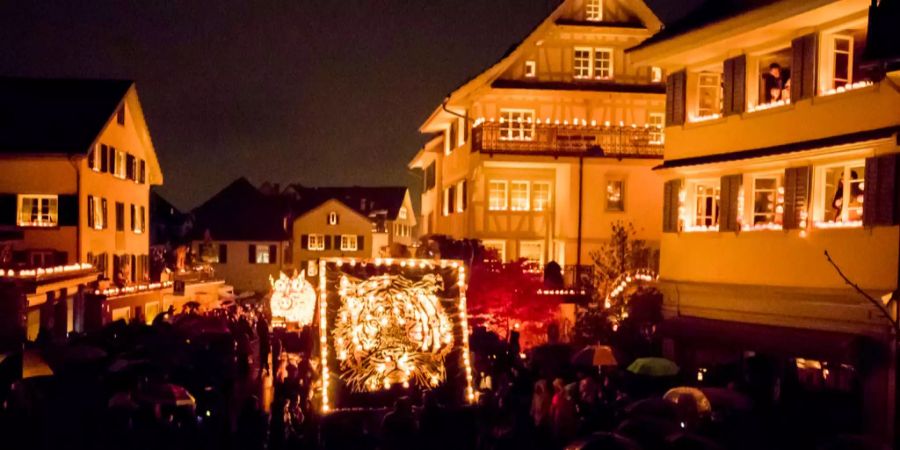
(842, 187)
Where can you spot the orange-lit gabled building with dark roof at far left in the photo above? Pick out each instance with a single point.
(76, 166)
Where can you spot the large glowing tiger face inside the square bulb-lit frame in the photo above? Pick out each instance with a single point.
(391, 330)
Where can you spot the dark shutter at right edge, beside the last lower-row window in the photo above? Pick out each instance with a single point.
(880, 202)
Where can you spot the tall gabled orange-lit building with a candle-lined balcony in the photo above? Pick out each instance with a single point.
(540, 153)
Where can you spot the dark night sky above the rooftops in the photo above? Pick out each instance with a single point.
(318, 92)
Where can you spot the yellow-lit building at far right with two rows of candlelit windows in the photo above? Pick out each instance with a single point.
(781, 144)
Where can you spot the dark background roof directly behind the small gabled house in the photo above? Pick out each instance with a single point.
(366, 200)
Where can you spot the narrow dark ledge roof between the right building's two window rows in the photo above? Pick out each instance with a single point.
(831, 141)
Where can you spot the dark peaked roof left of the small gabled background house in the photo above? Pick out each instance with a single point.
(240, 212)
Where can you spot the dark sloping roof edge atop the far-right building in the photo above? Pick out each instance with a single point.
(708, 13)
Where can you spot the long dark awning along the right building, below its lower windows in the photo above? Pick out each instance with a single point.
(780, 341)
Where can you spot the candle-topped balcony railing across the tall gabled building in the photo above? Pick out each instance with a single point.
(627, 141)
